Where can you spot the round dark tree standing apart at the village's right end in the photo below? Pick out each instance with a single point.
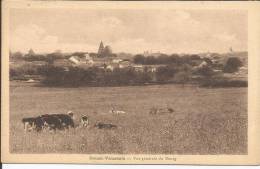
(232, 65)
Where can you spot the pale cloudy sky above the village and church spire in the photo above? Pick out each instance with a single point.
(128, 30)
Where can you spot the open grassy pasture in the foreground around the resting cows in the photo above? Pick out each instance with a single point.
(205, 121)
